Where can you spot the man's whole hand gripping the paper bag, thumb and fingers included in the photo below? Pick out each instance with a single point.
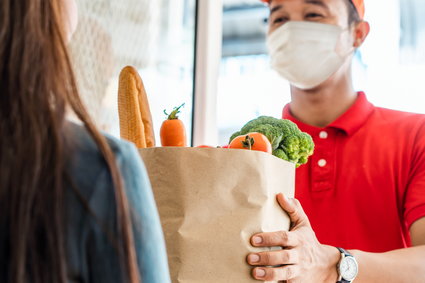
(302, 259)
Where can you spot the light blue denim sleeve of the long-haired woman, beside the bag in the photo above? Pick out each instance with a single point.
(148, 235)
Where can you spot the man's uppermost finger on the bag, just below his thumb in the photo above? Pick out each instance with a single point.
(275, 239)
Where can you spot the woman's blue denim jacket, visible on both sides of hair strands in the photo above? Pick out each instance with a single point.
(91, 215)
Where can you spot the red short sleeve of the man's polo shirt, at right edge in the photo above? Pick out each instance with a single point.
(414, 206)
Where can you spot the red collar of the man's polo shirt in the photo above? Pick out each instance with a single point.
(349, 122)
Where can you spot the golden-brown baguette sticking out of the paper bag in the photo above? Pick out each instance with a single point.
(133, 108)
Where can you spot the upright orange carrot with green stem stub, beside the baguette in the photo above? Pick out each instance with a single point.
(173, 132)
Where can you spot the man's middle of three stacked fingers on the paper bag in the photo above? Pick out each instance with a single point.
(273, 258)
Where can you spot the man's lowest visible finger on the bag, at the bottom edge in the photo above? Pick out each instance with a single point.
(276, 274)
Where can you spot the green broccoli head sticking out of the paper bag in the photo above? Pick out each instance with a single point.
(287, 141)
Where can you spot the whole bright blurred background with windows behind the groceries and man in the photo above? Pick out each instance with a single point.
(179, 45)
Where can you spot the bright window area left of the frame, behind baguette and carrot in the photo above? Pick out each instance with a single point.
(156, 37)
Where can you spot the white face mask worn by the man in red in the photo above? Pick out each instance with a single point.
(306, 53)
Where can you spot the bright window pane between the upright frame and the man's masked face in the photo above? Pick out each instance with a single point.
(247, 87)
